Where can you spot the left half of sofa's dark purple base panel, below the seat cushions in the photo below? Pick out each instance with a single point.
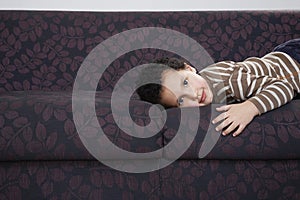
(74, 180)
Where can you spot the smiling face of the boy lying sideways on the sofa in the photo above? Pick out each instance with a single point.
(184, 88)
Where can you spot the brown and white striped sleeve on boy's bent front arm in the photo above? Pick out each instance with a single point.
(265, 92)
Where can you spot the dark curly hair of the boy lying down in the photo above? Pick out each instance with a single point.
(153, 73)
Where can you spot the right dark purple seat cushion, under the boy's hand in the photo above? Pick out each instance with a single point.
(274, 135)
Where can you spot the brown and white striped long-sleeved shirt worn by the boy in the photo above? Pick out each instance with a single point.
(268, 82)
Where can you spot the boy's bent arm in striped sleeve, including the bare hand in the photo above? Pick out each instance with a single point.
(259, 93)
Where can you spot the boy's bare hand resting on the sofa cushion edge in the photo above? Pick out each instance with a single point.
(235, 116)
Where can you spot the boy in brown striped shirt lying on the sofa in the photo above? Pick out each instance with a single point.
(258, 84)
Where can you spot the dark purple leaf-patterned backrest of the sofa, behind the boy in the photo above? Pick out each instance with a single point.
(44, 50)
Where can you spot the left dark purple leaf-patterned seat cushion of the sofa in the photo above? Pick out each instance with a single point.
(40, 126)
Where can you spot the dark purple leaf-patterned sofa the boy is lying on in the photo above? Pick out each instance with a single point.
(44, 155)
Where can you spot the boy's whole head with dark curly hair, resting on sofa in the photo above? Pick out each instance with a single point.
(179, 84)
